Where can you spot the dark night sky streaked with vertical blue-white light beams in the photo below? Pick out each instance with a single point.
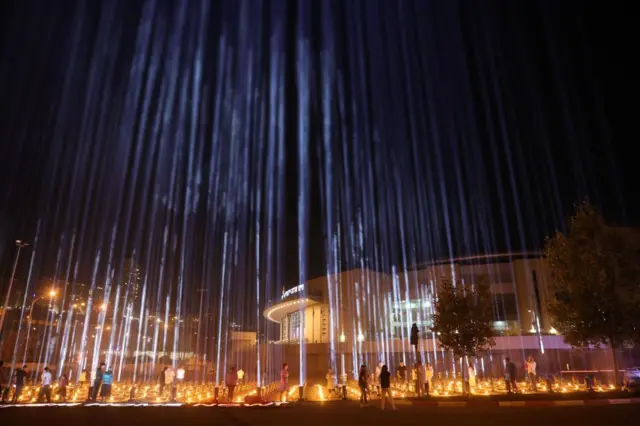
(434, 129)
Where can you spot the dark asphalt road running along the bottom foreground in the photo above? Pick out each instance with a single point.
(311, 414)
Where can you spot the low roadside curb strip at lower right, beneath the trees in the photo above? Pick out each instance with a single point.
(560, 403)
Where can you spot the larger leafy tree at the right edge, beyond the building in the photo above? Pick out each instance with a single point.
(595, 270)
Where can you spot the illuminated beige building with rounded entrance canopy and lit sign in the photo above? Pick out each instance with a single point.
(364, 316)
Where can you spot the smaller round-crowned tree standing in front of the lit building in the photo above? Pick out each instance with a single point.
(463, 319)
